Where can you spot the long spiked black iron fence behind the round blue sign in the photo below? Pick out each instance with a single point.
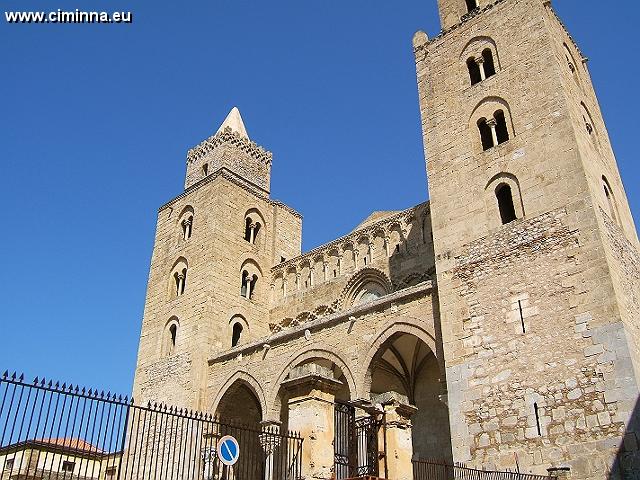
(54, 431)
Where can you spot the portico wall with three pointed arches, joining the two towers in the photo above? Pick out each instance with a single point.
(349, 339)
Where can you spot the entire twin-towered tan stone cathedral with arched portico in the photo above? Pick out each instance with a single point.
(497, 324)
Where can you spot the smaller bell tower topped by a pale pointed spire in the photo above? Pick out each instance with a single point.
(209, 283)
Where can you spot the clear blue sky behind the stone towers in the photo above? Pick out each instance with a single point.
(96, 121)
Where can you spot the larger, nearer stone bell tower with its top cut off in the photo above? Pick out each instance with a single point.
(536, 250)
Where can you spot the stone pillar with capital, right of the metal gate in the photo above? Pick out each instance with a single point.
(397, 430)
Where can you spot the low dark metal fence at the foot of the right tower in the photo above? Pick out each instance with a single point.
(432, 470)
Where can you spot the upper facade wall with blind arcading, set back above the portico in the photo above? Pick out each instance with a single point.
(397, 249)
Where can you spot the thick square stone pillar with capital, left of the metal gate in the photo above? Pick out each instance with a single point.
(312, 391)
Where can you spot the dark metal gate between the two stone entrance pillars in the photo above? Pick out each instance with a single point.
(355, 443)
